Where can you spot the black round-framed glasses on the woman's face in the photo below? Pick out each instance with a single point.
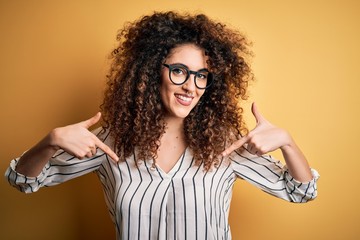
(179, 74)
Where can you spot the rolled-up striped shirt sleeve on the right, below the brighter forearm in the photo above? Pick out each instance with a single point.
(272, 177)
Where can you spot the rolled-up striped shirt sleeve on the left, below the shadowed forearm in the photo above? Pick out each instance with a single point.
(60, 168)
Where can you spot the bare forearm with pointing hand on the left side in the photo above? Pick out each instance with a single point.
(75, 139)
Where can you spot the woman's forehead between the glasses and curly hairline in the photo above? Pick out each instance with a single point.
(189, 55)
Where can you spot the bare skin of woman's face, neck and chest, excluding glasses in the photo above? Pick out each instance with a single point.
(178, 100)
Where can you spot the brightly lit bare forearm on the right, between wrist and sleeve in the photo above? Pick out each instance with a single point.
(296, 162)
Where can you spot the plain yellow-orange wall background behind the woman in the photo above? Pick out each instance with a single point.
(53, 59)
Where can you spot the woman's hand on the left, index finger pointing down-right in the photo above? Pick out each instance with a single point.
(78, 141)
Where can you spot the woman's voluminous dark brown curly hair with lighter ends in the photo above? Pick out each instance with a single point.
(132, 107)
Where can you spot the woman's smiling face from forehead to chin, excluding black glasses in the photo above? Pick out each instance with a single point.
(179, 100)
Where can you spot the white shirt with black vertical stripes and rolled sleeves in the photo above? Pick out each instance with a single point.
(185, 203)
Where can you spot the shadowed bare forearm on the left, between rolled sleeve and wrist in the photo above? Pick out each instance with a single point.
(33, 161)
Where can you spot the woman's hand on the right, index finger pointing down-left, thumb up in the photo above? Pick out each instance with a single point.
(264, 138)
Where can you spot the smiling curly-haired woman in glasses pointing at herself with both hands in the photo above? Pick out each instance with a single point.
(173, 140)
